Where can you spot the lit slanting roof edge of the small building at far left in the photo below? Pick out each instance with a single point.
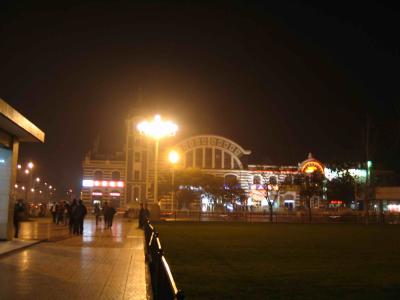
(16, 124)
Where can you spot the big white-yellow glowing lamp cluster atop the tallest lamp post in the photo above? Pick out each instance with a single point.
(157, 128)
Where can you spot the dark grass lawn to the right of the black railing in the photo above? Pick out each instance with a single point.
(283, 261)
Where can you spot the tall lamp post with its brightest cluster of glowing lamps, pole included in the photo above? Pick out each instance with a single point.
(157, 129)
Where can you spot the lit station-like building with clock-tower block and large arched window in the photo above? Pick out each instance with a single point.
(212, 154)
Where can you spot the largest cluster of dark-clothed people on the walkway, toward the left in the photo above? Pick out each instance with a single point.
(72, 215)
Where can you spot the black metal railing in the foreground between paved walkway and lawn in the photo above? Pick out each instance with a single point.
(162, 281)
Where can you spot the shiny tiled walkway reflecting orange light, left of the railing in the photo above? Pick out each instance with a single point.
(101, 264)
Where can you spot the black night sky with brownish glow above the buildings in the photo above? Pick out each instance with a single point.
(280, 79)
